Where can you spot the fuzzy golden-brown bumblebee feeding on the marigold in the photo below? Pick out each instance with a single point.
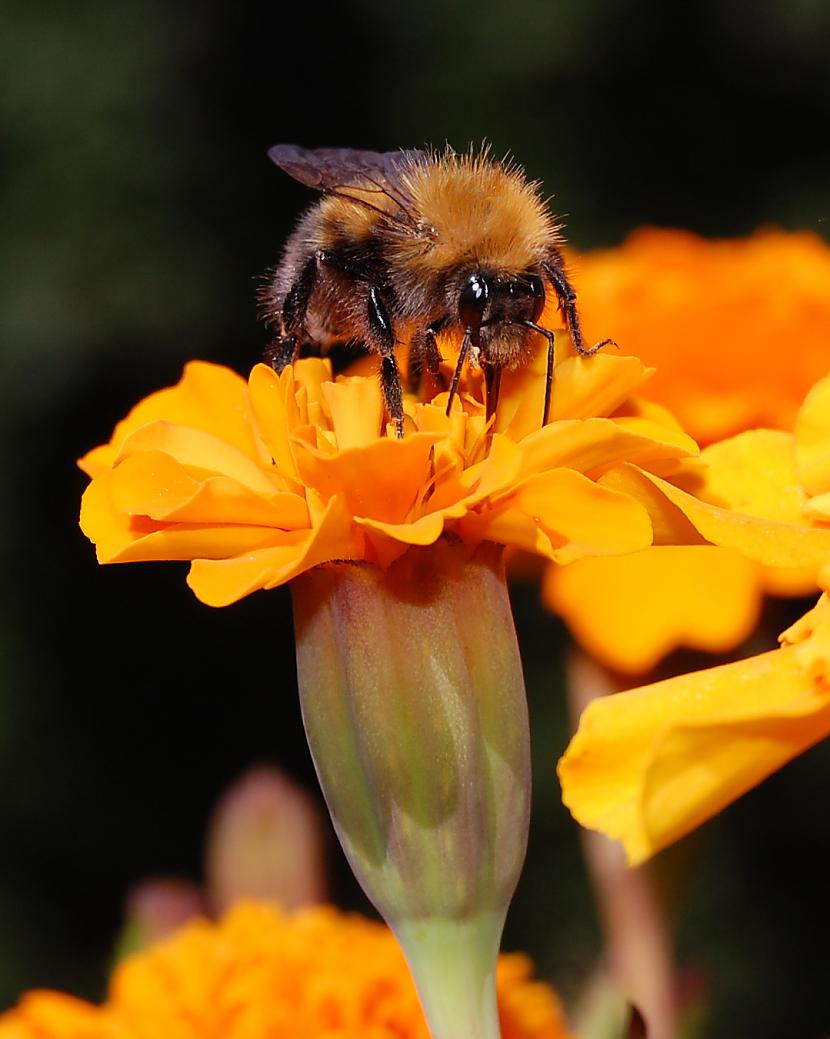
(405, 246)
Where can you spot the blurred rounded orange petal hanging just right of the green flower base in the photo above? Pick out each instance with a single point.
(630, 611)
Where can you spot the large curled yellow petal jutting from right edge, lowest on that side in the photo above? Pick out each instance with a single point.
(649, 766)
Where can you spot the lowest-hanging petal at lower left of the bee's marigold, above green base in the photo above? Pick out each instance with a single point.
(223, 582)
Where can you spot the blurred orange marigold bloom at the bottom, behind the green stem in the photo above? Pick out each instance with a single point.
(262, 974)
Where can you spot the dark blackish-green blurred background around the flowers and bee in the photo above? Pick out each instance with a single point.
(138, 212)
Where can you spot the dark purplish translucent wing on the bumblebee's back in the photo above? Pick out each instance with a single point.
(337, 169)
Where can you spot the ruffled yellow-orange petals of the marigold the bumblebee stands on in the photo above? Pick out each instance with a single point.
(255, 483)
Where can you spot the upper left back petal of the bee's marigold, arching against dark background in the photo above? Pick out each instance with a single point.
(208, 397)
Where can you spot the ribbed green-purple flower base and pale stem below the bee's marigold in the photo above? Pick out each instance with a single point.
(414, 705)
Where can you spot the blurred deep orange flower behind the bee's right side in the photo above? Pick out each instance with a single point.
(738, 330)
